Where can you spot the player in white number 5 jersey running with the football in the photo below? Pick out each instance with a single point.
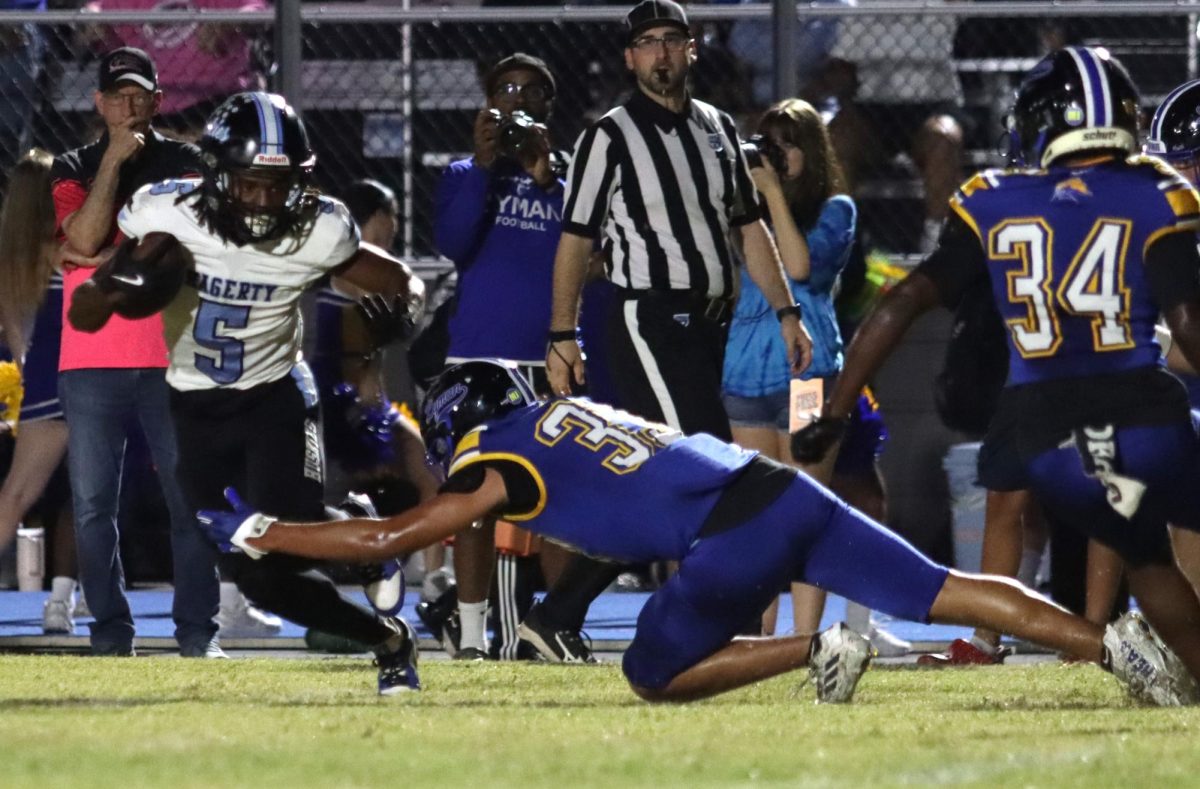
(243, 400)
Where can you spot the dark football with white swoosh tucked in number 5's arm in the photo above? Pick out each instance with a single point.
(137, 282)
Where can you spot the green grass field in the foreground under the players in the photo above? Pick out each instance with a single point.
(259, 722)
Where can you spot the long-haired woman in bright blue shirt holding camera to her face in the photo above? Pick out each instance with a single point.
(814, 226)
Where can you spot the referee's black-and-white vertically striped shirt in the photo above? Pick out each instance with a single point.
(665, 189)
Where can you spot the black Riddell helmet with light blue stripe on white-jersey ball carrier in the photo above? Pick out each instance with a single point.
(256, 136)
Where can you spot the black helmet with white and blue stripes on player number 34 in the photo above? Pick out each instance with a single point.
(1078, 99)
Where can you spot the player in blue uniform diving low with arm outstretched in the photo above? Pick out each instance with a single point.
(615, 486)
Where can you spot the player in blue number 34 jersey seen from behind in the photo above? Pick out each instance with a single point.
(1084, 246)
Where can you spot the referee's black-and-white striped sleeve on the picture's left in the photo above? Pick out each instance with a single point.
(591, 182)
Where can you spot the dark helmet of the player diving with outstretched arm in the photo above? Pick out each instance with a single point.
(466, 396)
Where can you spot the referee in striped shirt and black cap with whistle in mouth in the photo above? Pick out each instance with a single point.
(664, 179)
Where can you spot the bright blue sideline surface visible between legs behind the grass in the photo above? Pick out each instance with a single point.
(610, 624)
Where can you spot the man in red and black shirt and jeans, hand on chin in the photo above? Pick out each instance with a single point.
(110, 380)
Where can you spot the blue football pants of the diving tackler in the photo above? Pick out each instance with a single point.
(728, 580)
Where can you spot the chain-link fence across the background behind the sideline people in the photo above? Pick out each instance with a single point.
(916, 94)
